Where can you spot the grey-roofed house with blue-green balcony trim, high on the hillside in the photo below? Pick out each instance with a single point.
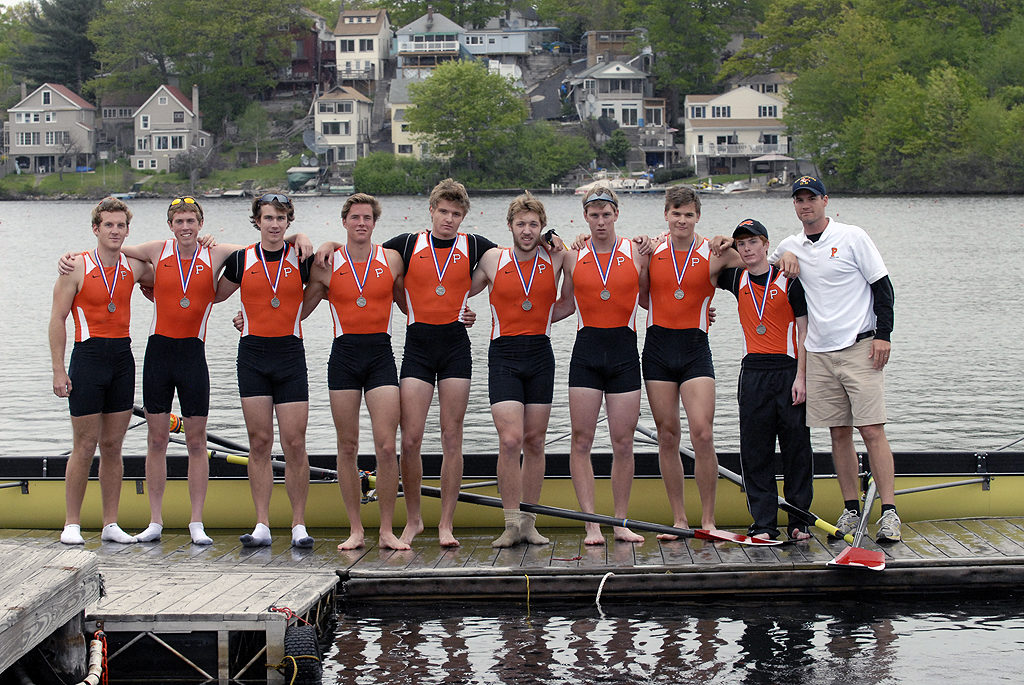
(429, 41)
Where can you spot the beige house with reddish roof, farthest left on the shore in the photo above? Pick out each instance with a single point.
(52, 126)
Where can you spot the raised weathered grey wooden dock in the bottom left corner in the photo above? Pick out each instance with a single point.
(42, 588)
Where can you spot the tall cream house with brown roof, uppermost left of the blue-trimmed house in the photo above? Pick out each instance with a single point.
(363, 47)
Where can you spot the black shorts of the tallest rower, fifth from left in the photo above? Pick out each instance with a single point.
(435, 353)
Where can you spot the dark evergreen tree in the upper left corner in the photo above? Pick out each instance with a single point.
(57, 49)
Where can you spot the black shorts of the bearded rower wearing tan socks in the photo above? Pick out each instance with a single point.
(522, 369)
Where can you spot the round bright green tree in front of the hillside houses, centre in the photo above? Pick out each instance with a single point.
(465, 113)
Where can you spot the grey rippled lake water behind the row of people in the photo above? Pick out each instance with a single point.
(953, 382)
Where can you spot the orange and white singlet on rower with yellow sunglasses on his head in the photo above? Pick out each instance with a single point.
(183, 298)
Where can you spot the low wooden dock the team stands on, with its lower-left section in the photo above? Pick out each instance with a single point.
(209, 608)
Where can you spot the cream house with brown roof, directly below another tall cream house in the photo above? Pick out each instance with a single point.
(342, 117)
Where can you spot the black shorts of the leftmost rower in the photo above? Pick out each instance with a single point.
(103, 377)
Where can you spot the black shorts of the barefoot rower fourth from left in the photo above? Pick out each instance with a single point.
(362, 362)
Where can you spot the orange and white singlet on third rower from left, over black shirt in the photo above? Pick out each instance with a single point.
(260, 316)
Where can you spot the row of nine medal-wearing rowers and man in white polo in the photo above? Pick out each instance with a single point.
(840, 310)
